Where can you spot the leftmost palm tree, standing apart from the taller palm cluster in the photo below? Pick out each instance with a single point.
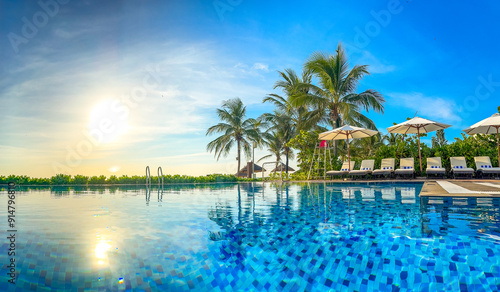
(234, 128)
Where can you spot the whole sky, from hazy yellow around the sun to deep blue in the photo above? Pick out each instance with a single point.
(110, 87)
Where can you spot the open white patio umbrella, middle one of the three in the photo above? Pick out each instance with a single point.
(417, 126)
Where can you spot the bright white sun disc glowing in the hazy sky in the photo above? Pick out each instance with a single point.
(108, 121)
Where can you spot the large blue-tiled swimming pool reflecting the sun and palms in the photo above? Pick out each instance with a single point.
(226, 237)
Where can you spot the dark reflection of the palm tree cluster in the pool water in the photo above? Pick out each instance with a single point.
(275, 238)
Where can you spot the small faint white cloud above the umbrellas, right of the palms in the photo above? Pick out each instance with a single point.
(437, 108)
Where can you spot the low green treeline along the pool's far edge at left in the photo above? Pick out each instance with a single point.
(63, 179)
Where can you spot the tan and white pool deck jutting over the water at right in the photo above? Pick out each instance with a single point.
(461, 188)
